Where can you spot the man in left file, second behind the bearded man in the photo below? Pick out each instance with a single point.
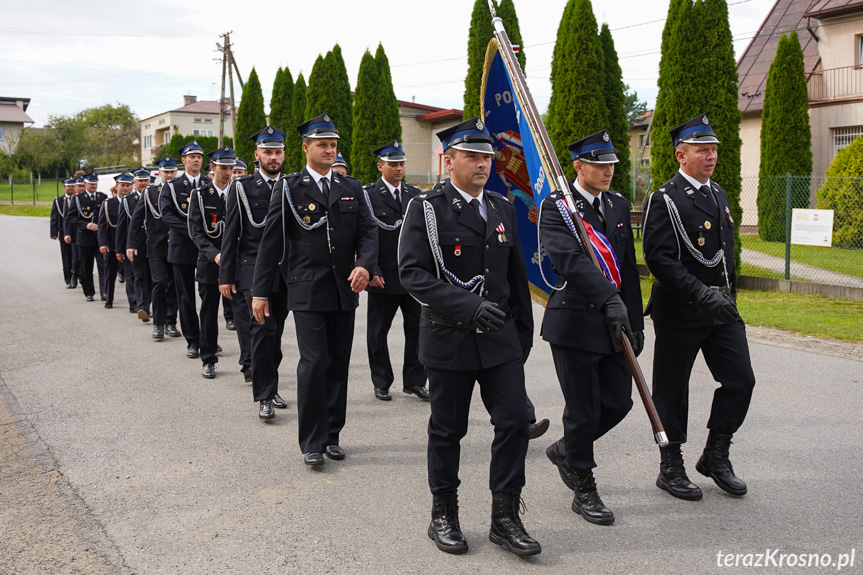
(182, 252)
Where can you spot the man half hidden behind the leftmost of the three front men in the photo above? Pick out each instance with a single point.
(387, 200)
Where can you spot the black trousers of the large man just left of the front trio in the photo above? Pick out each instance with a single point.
(324, 340)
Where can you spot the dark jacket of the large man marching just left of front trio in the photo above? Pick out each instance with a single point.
(317, 266)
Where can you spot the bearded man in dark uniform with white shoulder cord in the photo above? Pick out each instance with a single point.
(246, 214)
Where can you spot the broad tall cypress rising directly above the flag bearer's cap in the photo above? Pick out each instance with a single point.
(577, 106)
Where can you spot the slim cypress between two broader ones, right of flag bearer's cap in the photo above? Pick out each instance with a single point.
(616, 122)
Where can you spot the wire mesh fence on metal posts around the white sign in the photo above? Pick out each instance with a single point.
(773, 228)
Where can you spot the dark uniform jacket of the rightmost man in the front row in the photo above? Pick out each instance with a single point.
(679, 276)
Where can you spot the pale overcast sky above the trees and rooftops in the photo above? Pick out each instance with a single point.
(67, 56)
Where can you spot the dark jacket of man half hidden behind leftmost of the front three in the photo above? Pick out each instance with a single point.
(385, 209)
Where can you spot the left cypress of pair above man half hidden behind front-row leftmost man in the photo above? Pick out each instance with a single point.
(367, 125)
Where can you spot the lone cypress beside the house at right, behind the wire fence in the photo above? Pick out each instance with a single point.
(786, 138)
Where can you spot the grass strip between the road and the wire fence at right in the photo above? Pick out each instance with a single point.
(817, 316)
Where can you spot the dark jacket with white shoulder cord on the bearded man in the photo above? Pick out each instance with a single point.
(241, 238)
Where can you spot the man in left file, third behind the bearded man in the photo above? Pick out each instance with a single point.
(148, 244)
